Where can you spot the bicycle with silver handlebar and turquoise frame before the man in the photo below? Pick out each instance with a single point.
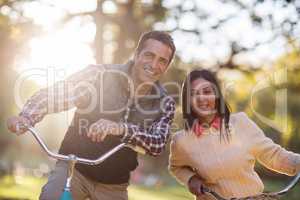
(72, 160)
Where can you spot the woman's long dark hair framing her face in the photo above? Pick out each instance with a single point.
(189, 115)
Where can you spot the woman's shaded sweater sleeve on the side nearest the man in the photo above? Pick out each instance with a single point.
(177, 165)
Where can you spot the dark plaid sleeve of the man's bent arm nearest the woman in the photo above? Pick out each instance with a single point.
(154, 139)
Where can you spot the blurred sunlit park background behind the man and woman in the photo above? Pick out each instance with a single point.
(252, 45)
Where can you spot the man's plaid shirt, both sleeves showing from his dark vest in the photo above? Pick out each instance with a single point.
(66, 94)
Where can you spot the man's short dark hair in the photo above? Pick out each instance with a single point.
(161, 36)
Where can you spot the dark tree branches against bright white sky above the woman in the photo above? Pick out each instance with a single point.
(239, 28)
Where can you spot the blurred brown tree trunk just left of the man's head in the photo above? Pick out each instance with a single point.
(119, 27)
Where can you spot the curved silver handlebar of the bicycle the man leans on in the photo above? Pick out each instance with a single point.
(78, 159)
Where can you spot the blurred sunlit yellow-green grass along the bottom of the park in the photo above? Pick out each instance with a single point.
(29, 188)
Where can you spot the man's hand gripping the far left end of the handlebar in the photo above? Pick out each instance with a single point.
(18, 124)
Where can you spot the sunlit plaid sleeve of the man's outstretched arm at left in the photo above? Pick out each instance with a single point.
(61, 96)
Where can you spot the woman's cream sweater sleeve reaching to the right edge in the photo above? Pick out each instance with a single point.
(270, 154)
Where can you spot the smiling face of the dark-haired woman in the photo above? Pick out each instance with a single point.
(203, 97)
